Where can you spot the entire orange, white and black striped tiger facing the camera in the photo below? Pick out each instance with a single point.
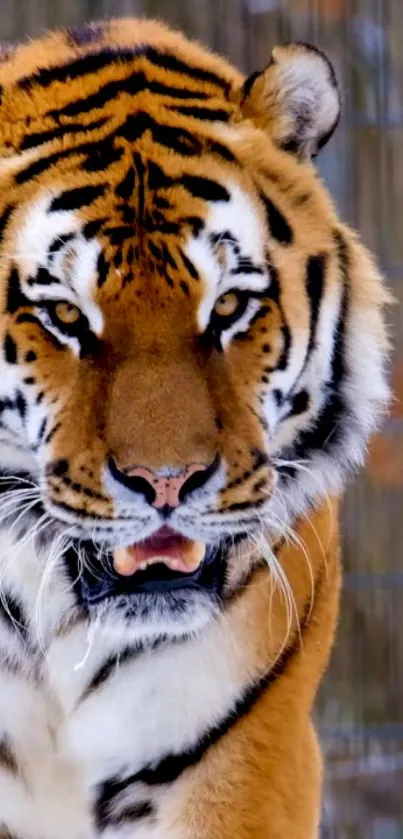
(194, 355)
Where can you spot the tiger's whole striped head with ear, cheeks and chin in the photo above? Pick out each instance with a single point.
(185, 326)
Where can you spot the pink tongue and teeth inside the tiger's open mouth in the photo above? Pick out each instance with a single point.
(167, 547)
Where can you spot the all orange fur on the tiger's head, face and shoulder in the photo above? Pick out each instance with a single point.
(262, 780)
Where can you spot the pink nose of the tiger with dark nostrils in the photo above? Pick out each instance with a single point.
(166, 489)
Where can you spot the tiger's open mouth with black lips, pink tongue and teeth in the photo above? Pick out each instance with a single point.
(165, 562)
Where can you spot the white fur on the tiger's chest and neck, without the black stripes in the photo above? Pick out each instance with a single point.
(157, 704)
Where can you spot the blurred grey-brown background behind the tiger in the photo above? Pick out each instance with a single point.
(360, 709)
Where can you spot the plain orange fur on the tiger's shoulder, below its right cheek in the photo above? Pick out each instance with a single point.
(263, 780)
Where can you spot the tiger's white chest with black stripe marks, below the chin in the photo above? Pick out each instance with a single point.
(95, 746)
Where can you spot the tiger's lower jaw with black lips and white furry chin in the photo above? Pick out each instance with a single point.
(157, 599)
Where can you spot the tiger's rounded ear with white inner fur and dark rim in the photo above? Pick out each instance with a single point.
(295, 99)
